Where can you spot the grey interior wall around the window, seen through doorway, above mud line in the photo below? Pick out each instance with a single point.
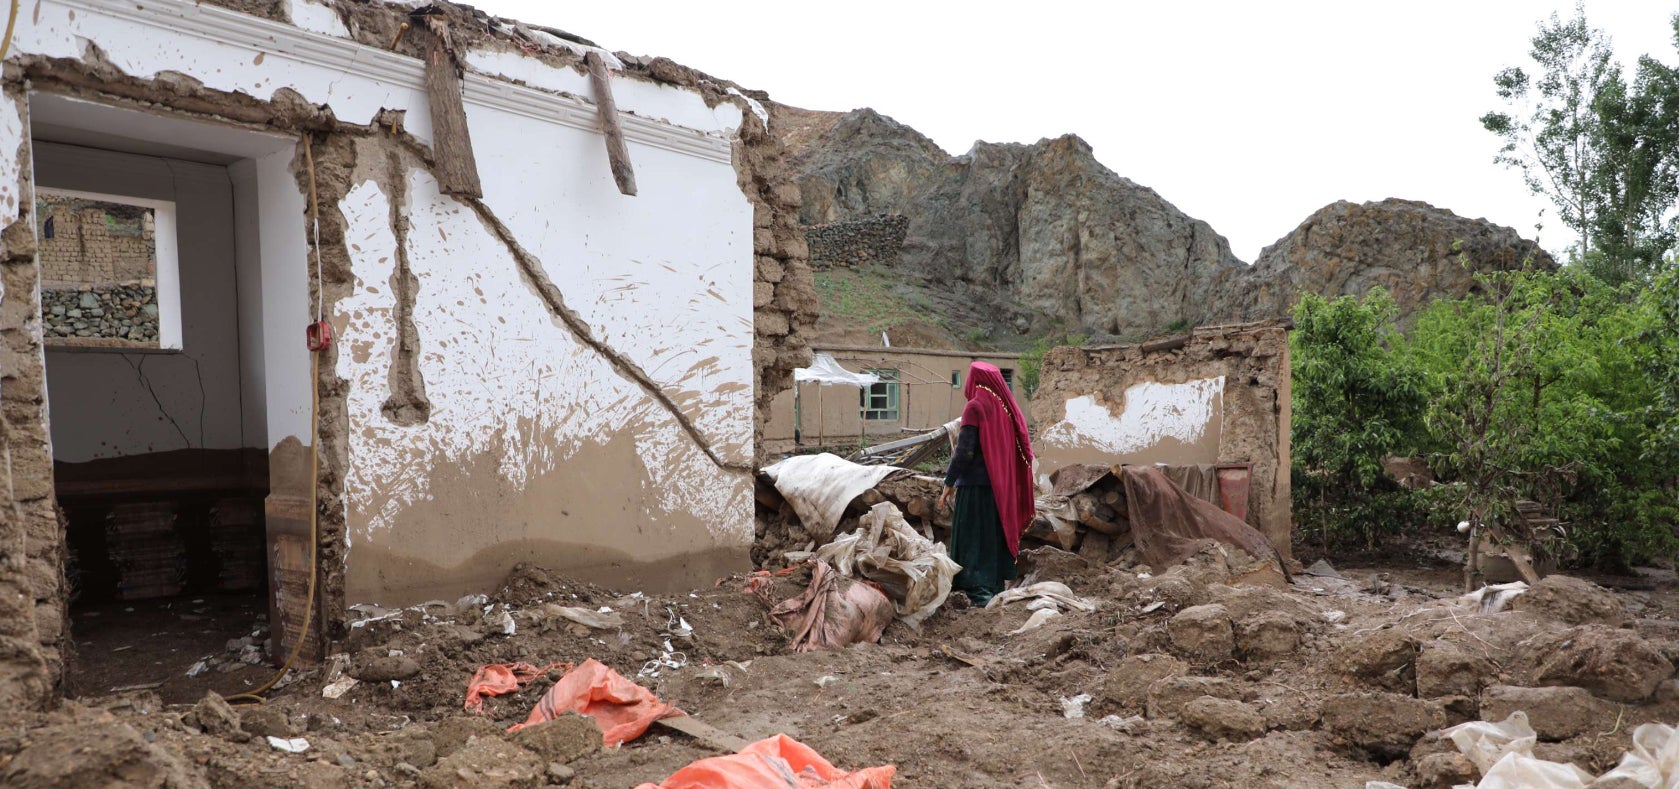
(113, 404)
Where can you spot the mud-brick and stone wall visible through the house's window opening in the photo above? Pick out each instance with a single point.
(93, 243)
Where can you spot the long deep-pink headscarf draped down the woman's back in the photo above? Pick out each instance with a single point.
(1005, 446)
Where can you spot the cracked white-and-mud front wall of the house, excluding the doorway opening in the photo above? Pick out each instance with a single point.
(553, 372)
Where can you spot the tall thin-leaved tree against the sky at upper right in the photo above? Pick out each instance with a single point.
(1603, 150)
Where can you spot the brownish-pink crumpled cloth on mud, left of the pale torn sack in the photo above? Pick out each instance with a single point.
(834, 612)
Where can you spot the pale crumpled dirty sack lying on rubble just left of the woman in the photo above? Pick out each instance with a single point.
(913, 570)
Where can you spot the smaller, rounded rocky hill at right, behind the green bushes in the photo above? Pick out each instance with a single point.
(1344, 249)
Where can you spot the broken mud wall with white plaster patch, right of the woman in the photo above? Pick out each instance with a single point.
(1218, 395)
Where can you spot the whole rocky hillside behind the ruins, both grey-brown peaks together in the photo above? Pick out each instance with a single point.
(1008, 243)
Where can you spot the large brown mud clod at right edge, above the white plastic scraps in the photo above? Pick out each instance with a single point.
(1609, 662)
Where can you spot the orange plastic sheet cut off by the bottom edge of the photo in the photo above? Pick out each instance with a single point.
(778, 763)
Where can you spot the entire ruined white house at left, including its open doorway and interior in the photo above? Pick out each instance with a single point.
(372, 301)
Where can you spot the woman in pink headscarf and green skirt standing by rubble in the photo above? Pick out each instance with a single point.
(991, 483)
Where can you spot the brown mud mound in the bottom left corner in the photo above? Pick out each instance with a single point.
(97, 756)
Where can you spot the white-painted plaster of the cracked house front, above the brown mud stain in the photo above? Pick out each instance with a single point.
(664, 278)
